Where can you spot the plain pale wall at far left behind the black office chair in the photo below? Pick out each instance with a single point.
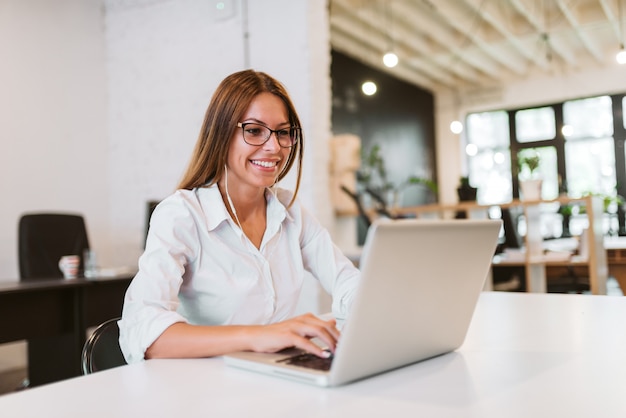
(53, 125)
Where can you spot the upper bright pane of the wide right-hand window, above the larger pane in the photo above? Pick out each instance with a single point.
(588, 118)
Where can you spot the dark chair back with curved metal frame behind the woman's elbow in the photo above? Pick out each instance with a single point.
(102, 349)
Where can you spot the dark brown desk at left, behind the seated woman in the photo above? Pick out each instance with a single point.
(54, 315)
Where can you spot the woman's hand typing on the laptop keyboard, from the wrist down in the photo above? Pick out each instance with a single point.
(296, 332)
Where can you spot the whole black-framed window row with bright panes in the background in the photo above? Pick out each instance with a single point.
(576, 140)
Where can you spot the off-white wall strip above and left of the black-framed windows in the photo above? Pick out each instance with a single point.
(532, 92)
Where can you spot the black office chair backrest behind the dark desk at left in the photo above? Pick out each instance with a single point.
(43, 238)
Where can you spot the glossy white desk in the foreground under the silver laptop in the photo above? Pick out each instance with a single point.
(526, 355)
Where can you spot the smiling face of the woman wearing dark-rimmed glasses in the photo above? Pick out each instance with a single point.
(252, 165)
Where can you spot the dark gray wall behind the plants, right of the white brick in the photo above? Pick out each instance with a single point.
(399, 117)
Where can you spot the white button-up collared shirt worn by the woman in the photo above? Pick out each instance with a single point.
(198, 267)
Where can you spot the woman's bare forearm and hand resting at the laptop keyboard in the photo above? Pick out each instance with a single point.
(182, 340)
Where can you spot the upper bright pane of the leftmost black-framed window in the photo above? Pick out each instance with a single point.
(488, 129)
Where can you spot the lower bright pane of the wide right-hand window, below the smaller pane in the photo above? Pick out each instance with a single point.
(590, 167)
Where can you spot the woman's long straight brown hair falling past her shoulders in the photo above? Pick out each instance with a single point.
(228, 105)
